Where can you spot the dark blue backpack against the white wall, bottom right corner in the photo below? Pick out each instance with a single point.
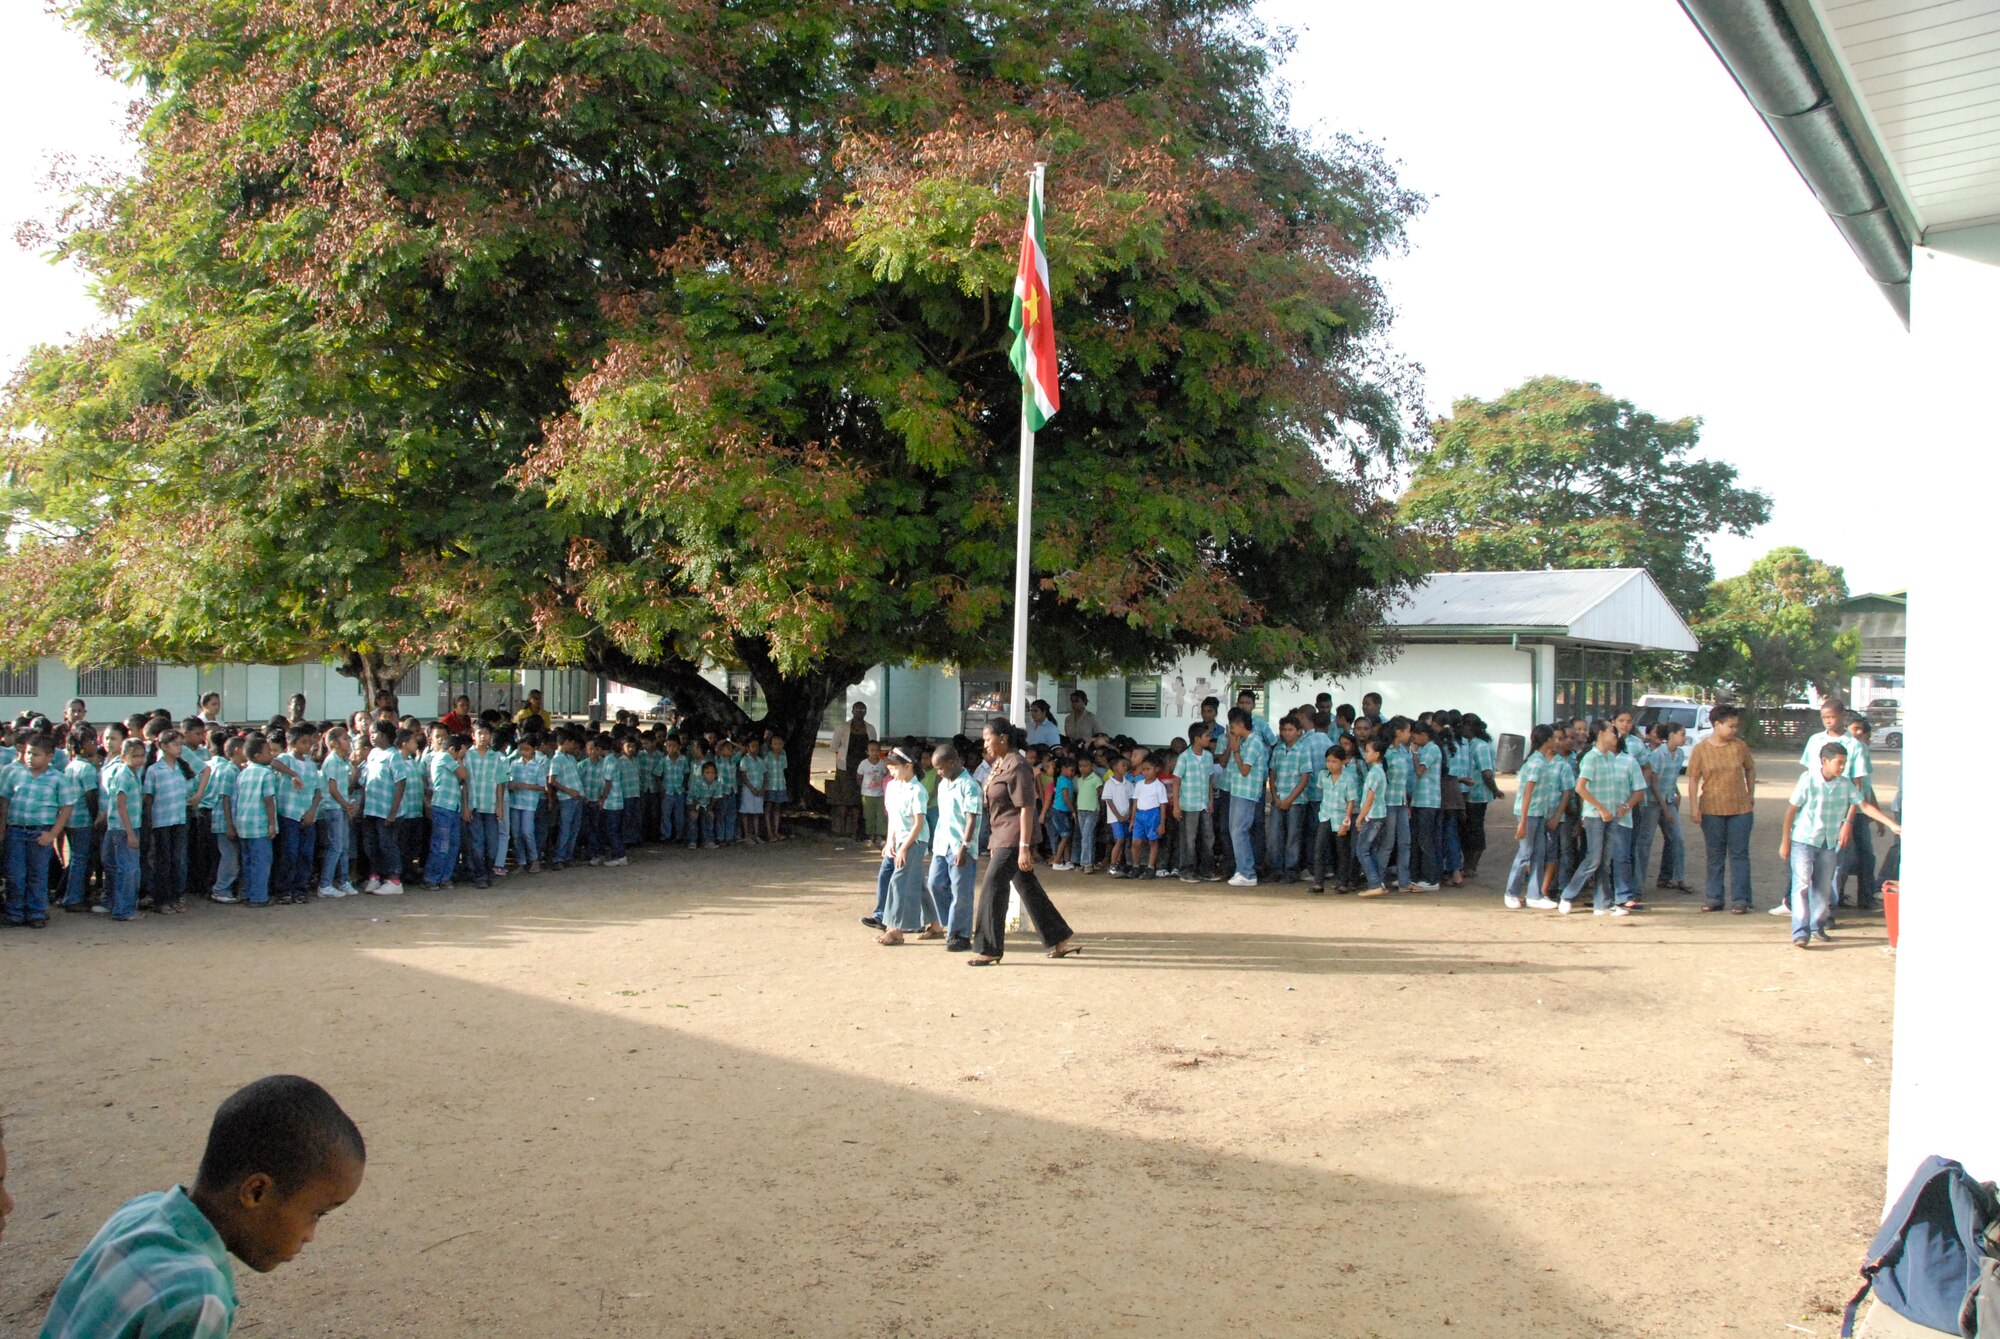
(1927, 1256)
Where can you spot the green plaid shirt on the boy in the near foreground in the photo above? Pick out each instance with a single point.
(157, 1268)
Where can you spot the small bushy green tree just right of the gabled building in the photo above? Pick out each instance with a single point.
(1773, 633)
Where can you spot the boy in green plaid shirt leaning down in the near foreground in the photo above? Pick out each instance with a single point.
(281, 1156)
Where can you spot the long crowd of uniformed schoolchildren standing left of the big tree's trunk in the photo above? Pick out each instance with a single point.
(143, 814)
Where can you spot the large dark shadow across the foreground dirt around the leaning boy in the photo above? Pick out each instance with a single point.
(543, 1168)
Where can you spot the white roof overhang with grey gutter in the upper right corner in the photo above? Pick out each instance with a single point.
(1889, 109)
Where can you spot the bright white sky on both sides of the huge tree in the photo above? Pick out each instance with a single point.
(1605, 207)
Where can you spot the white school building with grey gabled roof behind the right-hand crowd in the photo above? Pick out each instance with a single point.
(1513, 647)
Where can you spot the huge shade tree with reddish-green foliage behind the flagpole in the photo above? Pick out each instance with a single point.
(645, 335)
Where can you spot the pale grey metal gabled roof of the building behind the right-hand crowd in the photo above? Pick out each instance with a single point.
(1609, 607)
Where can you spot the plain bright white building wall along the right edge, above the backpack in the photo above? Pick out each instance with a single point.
(1943, 1086)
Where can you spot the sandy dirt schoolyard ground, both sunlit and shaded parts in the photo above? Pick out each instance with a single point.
(693, 1098)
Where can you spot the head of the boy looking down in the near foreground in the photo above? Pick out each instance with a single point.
(281, 1156)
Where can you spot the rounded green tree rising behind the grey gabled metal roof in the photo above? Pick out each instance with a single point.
(1561, 475)
